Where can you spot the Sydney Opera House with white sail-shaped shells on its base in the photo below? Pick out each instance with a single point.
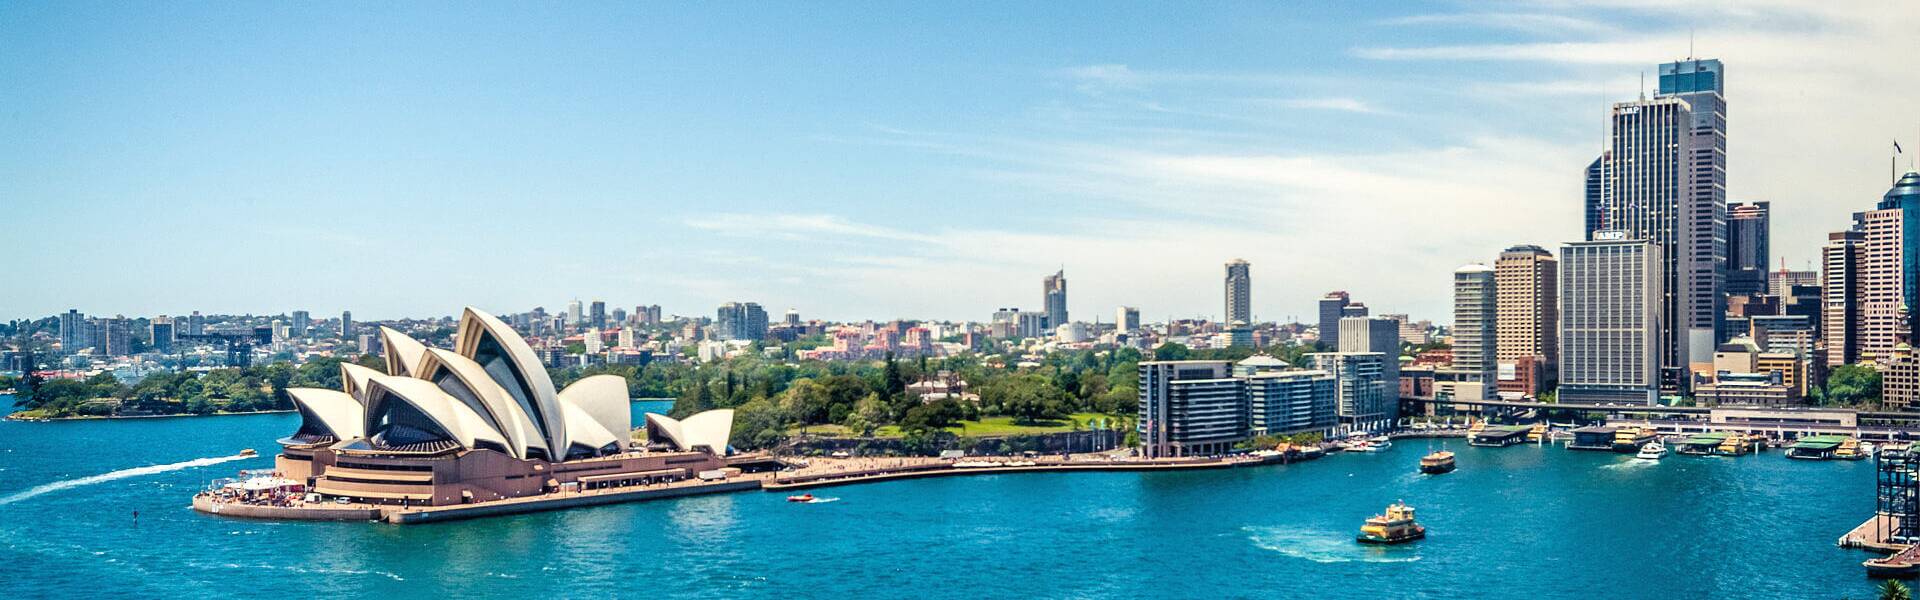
(483, 422)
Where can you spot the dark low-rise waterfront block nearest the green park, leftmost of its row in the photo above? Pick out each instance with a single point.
(1191, 409)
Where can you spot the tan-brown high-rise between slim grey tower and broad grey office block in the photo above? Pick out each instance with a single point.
(1527, 320)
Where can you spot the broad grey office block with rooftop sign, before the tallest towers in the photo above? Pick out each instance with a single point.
(1610, 320)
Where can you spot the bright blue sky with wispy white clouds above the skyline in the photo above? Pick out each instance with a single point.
(876, 161)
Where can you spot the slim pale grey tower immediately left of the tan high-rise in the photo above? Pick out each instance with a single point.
(1474, 374)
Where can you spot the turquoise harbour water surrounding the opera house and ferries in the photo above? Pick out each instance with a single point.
(1512, 522)
